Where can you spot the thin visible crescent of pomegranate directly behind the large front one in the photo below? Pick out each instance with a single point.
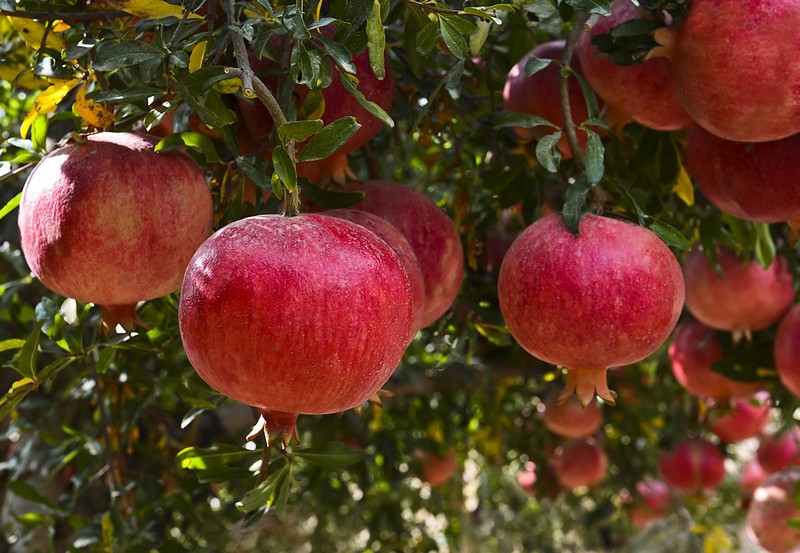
(395, 239)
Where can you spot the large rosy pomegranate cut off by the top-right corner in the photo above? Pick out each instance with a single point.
(736, 67)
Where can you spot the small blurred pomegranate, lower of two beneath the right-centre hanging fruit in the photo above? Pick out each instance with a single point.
(581, 462)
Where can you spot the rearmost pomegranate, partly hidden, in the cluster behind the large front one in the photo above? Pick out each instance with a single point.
(432, 236)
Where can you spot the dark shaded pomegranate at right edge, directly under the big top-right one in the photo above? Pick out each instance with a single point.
(757, 182)
